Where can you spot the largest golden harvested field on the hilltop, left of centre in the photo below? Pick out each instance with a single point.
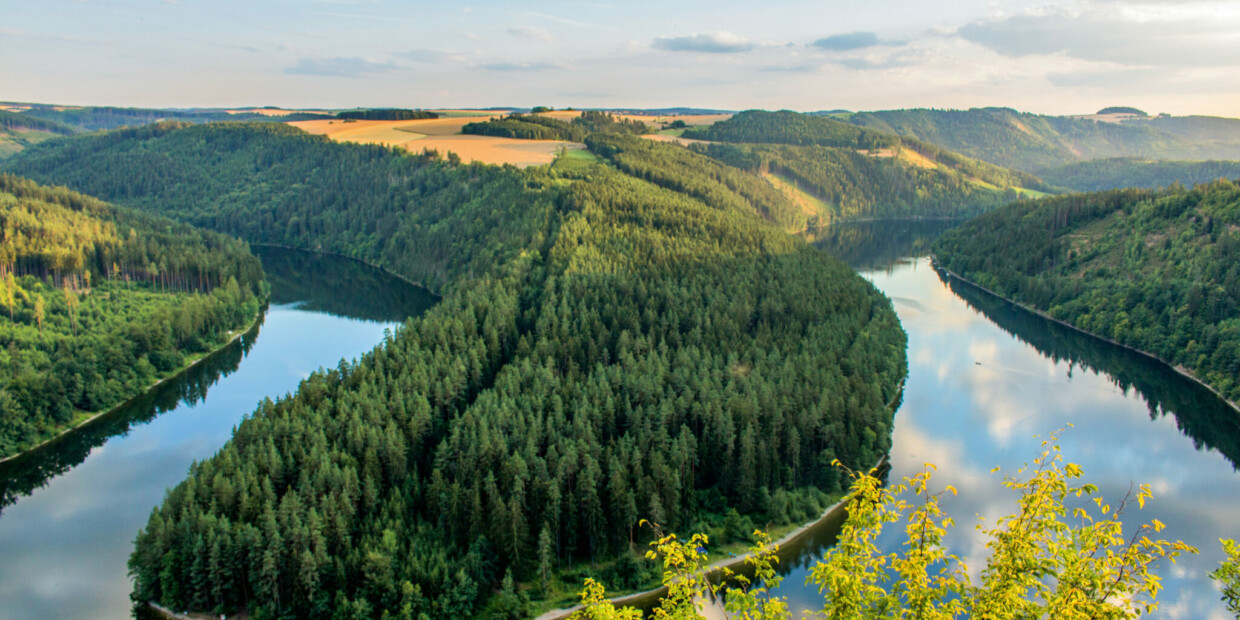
(442, 135)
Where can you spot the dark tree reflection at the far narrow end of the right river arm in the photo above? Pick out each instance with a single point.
(881, 245)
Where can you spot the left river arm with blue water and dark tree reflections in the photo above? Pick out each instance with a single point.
(70, 511)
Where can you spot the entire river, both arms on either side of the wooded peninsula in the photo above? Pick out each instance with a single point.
(984, 380)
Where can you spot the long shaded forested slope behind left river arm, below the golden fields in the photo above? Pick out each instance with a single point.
(275, 184)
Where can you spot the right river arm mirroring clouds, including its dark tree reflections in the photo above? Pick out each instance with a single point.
(985, 379)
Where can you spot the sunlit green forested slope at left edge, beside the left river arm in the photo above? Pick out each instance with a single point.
(100, 303)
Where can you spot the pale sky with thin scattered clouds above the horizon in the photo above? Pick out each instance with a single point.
(1053, 58)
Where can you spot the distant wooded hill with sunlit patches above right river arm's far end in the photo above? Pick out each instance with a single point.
(838, 172)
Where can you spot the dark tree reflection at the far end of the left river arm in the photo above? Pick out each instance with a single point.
(340, 286)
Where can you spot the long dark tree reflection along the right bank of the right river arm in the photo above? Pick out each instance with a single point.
(1200, 415)
